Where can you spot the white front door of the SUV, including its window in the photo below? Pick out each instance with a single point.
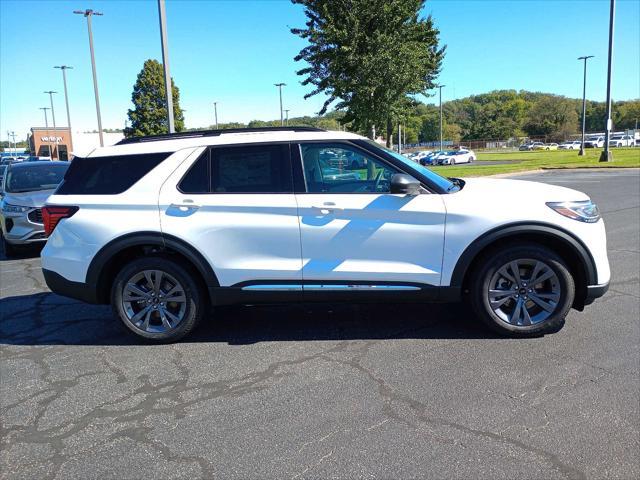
(354, 231)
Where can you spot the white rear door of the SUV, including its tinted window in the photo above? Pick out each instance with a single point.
(235, 205)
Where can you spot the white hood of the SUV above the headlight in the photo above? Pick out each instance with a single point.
(508, 190)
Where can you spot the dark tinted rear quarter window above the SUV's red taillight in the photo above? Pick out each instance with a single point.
(107, 175)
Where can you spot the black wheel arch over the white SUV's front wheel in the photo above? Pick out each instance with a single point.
(569, 247)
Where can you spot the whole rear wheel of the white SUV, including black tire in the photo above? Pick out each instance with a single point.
(148, 316)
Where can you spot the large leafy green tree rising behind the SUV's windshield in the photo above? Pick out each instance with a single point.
(368, 56)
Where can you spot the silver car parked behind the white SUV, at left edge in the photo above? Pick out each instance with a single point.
(23, 191)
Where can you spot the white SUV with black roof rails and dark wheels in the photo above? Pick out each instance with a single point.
(164, 227)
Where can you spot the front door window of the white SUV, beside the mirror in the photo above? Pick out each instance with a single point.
(343, 169)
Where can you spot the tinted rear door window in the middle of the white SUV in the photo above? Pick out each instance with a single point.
(251, 169)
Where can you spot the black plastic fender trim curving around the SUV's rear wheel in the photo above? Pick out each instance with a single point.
(110, 250)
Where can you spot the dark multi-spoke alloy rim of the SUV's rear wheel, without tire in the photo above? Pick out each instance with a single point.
(154, 301)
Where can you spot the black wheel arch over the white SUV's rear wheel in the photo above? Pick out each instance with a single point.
(110, 259)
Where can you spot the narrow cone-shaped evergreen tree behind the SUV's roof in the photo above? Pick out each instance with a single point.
(149, 115)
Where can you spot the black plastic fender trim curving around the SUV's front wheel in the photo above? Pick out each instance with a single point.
(513, 229)
